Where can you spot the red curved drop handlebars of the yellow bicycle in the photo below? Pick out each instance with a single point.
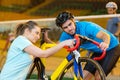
(77, 37)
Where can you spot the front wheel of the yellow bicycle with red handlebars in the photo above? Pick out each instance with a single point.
(68, 70)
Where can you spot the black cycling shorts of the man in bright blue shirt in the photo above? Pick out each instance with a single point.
(108, 63)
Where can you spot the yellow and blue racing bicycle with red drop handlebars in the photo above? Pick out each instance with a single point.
(72, 60)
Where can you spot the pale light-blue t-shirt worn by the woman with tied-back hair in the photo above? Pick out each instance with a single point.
(18, 62)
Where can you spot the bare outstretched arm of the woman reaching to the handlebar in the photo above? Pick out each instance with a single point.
(37, 52)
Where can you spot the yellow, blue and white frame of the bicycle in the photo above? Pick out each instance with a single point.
(60, 68)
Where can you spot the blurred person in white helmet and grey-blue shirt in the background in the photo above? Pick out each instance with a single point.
(113, 24)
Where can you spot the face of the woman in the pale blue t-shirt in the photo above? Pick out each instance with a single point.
(34, 34)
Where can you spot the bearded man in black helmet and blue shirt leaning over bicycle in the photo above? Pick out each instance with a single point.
(107, 41)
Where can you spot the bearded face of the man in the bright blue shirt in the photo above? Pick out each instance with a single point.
(69, 27)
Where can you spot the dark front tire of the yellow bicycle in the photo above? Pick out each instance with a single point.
(82, 59)
